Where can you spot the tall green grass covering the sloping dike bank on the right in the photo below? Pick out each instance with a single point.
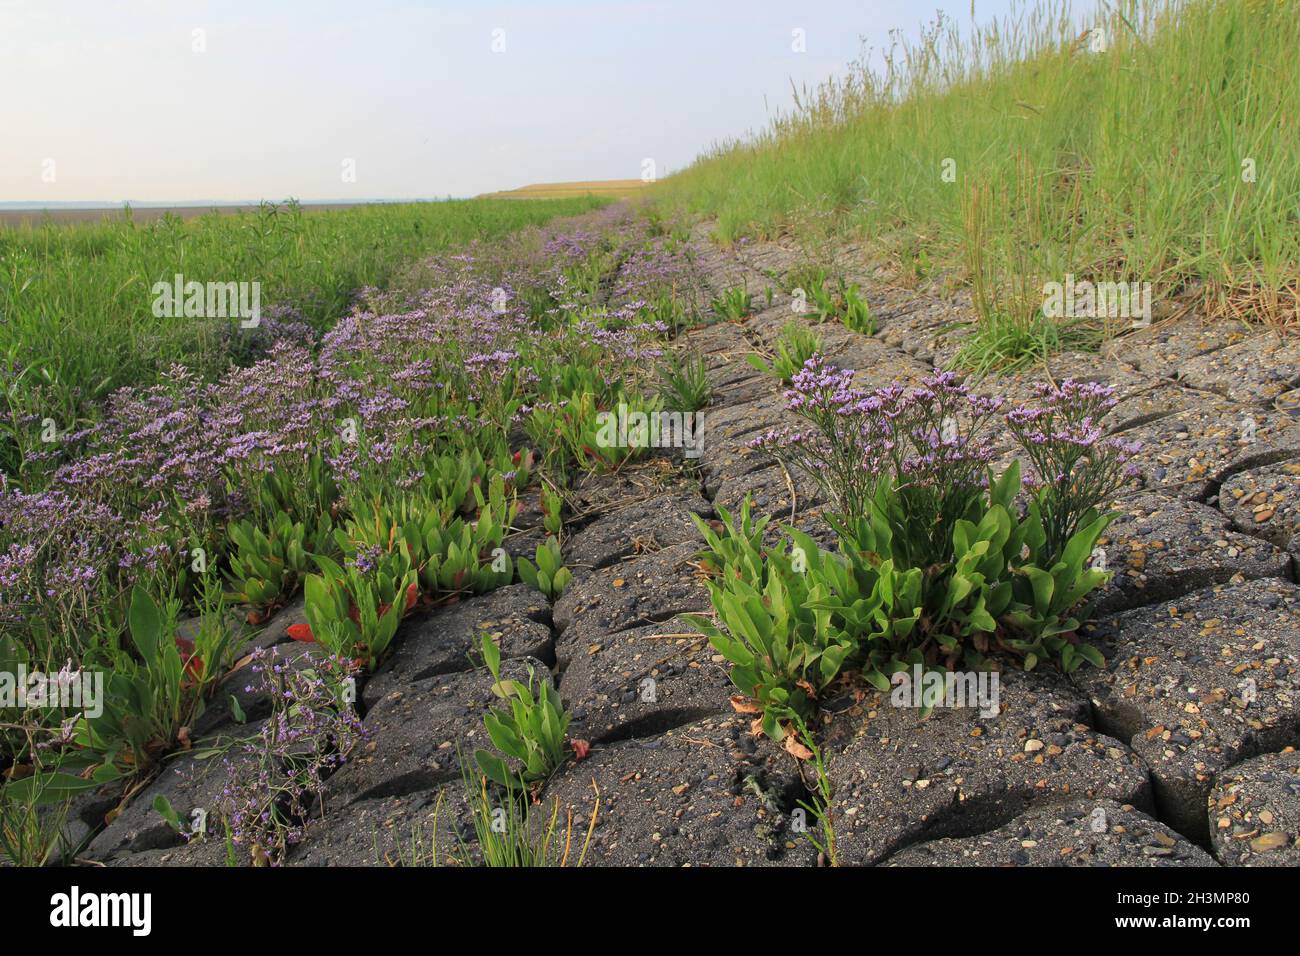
(1121, 161)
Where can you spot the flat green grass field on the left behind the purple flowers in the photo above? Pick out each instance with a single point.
(76, 301)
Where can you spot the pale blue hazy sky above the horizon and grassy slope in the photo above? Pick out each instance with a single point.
(115, 94)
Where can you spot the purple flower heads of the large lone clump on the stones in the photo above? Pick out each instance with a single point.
(930, 447)
